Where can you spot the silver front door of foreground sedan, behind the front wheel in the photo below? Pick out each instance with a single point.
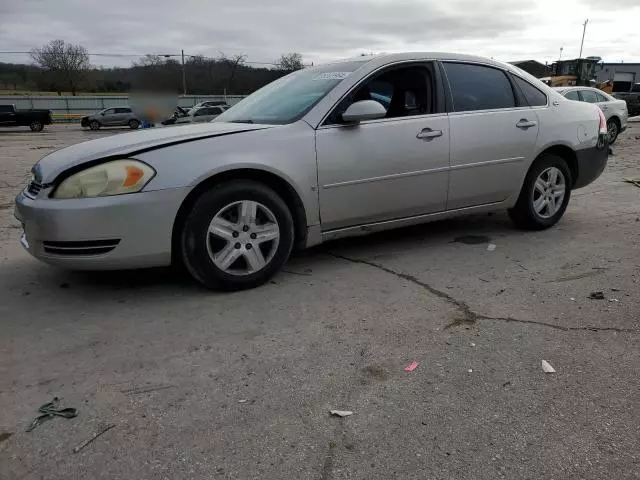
(389, 168)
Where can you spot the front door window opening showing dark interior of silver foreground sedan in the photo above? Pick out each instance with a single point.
(402, 91)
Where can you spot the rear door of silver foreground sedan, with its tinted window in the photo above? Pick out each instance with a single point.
(493, 134)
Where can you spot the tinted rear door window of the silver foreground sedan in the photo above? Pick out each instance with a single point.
(476, 87)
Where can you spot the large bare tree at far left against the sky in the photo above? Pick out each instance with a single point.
(67, 62)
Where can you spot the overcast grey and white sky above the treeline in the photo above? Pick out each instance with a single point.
(324, 30)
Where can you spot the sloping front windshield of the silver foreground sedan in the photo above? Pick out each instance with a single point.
(289, 98)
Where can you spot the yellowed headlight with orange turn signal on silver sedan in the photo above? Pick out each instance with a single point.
(110, 178)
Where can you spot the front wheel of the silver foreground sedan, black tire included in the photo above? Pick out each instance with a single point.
(202, 249)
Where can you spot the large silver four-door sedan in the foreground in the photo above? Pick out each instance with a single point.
(343, 149)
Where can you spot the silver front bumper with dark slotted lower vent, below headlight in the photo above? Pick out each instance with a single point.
(118, 232)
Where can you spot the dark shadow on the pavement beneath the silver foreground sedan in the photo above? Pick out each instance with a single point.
(175, 280)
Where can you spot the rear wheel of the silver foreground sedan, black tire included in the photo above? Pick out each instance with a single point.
(524, 214)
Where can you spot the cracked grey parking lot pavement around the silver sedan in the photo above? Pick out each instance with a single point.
(239, 386)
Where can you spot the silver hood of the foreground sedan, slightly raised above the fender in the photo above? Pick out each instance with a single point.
(47, 169)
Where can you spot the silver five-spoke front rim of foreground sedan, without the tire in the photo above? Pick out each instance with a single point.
(243, 237)
